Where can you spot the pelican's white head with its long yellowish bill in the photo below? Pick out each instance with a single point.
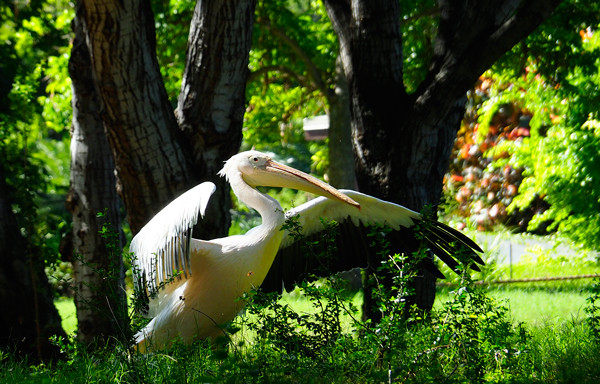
(258, 169)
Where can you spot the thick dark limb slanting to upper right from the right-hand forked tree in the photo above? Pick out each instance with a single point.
(471, 37)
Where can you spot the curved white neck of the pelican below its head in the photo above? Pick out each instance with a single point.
(269, 209)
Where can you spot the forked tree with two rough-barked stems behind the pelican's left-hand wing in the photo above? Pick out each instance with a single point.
(157, 159)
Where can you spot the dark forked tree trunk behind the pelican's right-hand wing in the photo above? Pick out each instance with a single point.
(402, 142)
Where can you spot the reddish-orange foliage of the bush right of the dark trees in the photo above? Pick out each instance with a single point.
(480, 185)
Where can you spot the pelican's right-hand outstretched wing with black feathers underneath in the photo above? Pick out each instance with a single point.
(350, 237)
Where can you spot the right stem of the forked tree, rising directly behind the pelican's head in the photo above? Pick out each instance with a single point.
(211, 104)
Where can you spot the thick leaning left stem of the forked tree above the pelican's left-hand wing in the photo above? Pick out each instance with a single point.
(150, 154)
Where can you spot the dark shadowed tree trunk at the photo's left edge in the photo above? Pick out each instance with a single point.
(28, 318)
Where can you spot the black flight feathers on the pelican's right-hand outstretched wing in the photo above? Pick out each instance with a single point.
(352, 248)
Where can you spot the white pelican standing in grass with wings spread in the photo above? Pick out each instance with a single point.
(194, 286)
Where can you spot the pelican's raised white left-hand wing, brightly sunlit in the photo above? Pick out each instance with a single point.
(161, 250)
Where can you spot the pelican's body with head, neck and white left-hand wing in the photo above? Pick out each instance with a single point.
(223, 269)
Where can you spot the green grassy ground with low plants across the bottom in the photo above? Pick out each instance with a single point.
(473, 340)
